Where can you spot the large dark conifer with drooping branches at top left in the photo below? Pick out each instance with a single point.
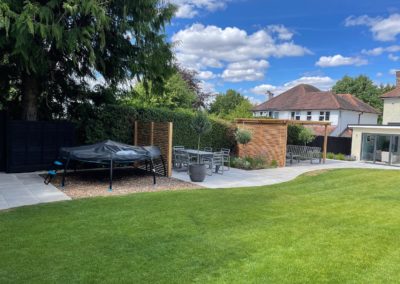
(48, 47)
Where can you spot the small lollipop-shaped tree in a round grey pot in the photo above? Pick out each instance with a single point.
(201, 125)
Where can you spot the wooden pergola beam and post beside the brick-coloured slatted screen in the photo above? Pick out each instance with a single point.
(287, 122)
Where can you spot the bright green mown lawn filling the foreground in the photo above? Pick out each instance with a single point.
(339, 226)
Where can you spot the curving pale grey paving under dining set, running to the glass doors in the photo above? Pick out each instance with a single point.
(242, 178)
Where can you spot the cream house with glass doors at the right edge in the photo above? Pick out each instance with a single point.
(380, 143)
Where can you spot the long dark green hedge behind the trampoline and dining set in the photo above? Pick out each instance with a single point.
(116, 123)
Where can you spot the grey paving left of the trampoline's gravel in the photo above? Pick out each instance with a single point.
(26, 189)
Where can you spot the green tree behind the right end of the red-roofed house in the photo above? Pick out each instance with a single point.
(363, 88)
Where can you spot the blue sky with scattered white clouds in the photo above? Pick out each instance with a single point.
(255, 46)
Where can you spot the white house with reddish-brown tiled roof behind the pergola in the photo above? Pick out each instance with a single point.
(306, 102)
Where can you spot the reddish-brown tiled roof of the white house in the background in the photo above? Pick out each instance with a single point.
(306, 97)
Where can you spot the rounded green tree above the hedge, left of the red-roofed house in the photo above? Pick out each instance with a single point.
(230, 104)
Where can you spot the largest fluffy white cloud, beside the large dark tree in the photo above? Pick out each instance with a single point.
(200, 47)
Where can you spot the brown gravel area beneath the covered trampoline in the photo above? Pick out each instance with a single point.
(92, 183)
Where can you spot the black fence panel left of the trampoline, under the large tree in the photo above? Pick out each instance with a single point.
(34, 145)
